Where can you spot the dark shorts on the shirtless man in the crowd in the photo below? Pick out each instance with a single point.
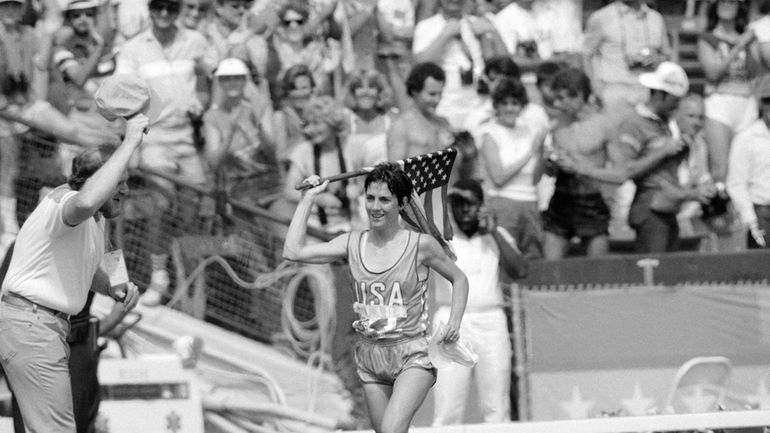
(569, 215)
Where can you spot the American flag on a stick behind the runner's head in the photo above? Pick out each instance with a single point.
(429, 174)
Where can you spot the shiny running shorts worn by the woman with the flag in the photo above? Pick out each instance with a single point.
(381, 362)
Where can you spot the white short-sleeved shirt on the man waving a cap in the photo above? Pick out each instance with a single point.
(54, 264)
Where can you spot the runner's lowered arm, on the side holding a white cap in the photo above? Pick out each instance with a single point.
(433, 256)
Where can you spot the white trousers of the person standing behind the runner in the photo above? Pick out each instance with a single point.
(487, 334)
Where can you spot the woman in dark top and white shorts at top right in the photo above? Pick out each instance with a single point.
(724, 53)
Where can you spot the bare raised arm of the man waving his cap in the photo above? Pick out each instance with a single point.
(101, 185)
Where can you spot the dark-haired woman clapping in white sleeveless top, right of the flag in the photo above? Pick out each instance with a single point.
(511, 151)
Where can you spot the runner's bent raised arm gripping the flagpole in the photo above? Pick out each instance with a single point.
(296, 248)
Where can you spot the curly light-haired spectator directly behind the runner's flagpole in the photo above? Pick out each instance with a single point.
(322, 154)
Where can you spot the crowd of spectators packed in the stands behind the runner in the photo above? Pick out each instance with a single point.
(581, 131)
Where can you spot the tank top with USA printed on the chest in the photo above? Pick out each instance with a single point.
(391, 304)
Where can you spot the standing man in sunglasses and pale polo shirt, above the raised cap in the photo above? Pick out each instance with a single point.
(171, 59)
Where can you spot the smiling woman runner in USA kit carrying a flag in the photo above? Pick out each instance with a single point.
(390, 267)
